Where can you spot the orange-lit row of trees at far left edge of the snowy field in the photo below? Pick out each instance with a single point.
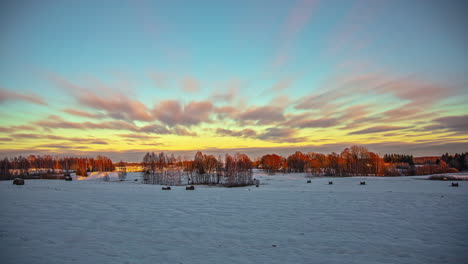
(46, 164)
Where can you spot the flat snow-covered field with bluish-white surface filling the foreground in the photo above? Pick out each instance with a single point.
(286, 220)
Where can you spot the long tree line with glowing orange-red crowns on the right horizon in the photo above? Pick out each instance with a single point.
(358, 160)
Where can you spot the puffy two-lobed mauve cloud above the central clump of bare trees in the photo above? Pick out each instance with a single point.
(172, 112)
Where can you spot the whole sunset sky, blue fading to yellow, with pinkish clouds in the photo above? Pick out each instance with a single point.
(258, 76)
